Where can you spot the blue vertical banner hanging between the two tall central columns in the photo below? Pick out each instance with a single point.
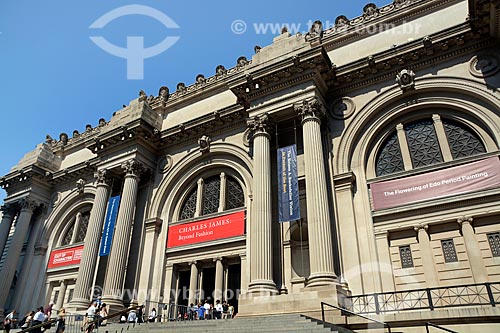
(288, 184)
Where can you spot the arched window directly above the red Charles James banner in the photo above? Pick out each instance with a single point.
(211, 195)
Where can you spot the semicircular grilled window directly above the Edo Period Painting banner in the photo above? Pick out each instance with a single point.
(421, 141)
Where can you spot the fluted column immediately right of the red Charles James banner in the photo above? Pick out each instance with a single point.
(261, 268)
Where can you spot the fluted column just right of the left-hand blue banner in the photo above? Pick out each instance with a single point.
(117, 261)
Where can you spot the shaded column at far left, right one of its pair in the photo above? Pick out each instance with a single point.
(16, 245)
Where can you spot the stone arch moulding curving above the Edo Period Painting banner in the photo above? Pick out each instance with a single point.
(464, 100)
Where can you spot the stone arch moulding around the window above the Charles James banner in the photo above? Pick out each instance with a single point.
(176, 183)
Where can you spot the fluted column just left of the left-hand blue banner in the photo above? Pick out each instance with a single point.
(86, 271)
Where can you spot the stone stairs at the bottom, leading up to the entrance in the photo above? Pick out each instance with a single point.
(293, 323)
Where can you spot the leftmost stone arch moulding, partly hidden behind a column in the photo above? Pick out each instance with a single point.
(62, 213)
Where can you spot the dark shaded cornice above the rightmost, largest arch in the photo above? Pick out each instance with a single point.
(421, 53)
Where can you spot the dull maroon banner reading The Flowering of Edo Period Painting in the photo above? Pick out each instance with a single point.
(480, 175)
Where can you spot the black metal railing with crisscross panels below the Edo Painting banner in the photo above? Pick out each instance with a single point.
(429, 298)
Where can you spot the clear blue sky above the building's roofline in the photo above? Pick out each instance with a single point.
(54, 78)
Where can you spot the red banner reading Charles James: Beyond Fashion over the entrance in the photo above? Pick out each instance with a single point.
(203, 231)
